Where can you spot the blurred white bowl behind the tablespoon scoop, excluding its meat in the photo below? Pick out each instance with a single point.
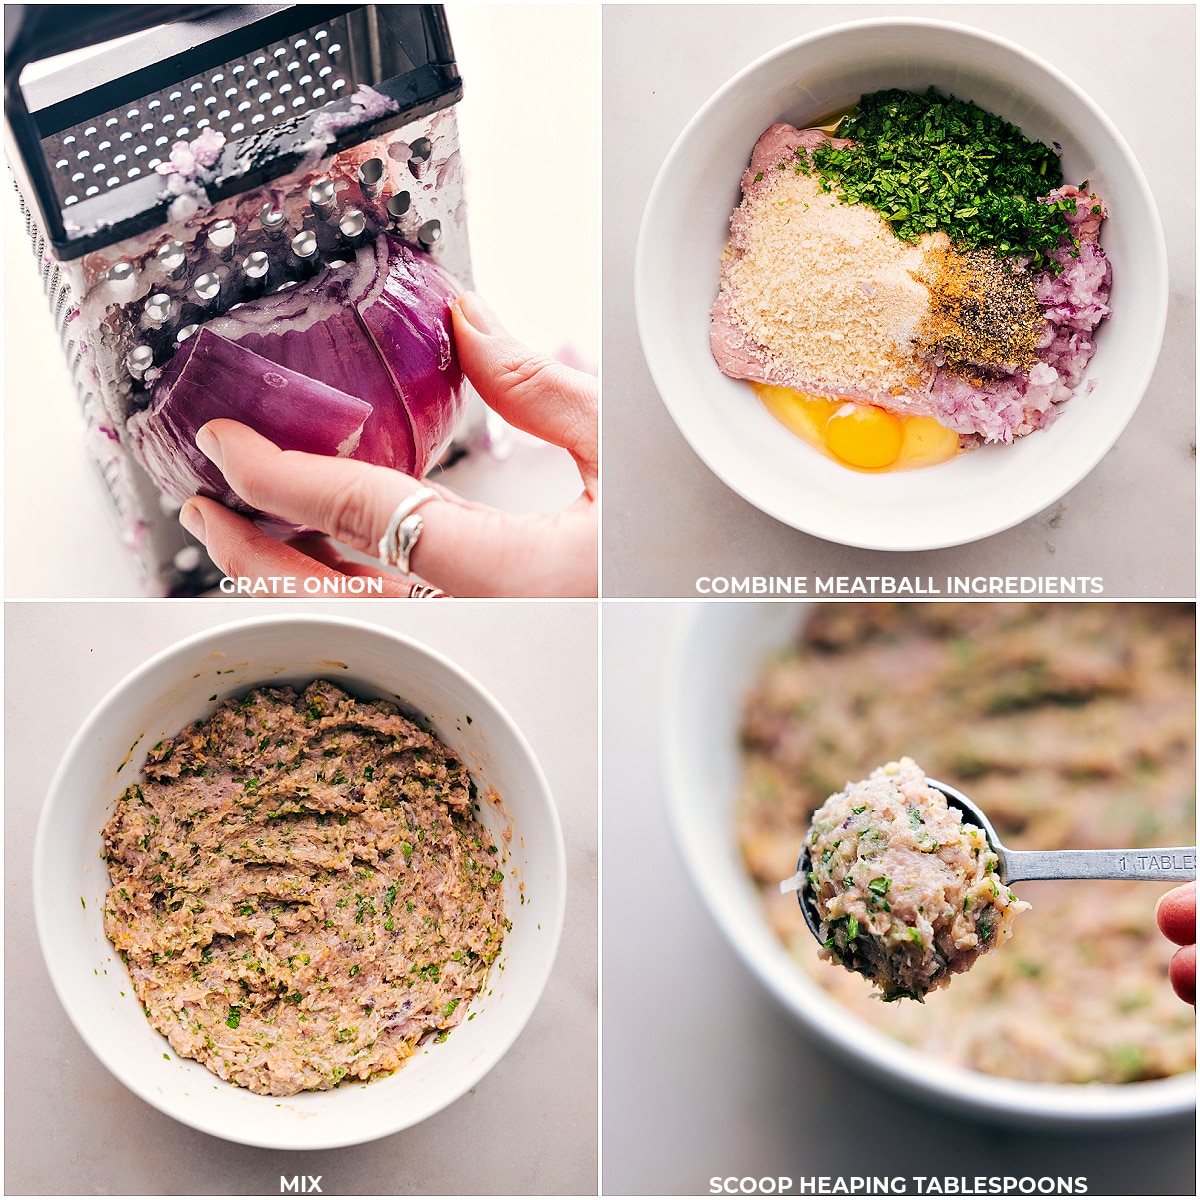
(718, 652)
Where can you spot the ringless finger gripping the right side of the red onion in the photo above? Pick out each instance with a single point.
(537, 394)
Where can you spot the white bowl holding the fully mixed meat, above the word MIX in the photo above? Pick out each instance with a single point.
(176, 688)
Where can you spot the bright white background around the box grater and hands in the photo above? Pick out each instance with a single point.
(59, 536)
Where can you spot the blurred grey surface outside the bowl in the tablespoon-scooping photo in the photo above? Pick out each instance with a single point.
(706, 1075)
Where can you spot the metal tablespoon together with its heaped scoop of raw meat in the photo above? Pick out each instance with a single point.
(903, 879)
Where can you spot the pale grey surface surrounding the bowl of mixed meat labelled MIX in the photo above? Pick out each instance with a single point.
(529, 1127)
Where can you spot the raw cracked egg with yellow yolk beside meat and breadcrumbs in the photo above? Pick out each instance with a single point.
(861, 436)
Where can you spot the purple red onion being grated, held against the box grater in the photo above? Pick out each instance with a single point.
(376, 333)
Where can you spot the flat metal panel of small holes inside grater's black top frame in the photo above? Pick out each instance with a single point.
(244, 97)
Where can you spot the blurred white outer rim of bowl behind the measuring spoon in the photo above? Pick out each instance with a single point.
(992, 1097)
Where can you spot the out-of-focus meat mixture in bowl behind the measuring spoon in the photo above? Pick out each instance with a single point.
(1070, 725)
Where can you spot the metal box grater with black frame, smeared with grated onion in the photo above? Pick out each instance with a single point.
(208, 157)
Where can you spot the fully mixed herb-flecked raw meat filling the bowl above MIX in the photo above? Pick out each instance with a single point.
(302, 891)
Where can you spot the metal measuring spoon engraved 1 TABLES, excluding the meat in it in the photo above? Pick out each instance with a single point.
(1175, 865)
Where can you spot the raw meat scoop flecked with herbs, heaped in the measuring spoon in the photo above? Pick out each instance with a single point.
(908, 893)
